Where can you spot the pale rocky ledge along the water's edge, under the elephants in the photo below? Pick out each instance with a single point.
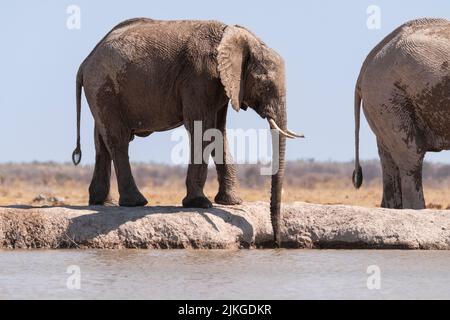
(244, 226)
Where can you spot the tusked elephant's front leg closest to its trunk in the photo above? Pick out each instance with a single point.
(226, 171)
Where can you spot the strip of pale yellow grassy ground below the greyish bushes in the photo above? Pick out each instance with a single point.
(329, 193)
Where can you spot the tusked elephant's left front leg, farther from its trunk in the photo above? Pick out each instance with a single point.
(198, 166)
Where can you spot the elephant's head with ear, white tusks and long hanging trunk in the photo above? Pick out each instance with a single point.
(254, 76)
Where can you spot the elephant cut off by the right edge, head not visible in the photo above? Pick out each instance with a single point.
(405, 88)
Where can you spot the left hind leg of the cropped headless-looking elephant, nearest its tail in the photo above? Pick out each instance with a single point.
(392, 192)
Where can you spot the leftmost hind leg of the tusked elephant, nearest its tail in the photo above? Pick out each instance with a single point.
(100, 184)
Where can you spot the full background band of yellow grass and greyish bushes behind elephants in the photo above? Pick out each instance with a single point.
(308, 181)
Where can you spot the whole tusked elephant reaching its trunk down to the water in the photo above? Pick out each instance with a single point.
(149, 76)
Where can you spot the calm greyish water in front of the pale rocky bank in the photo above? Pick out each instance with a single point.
(272, 274)
